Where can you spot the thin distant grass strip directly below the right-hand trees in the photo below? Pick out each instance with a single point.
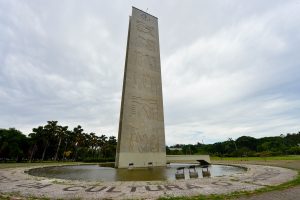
(288, 157)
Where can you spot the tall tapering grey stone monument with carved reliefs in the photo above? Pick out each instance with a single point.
(141, 137)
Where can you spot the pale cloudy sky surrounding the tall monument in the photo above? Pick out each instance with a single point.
(229, 68)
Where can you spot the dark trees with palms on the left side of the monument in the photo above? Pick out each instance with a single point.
(56, 142)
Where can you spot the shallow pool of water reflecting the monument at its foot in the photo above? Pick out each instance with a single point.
(97, 173)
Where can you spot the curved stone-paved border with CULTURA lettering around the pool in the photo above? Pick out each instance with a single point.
(257, 176)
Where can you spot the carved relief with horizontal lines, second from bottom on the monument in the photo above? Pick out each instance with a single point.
(146, 108)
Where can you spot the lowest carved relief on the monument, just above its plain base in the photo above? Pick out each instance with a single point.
(144, 140)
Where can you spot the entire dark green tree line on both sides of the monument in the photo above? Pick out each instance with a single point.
(59, 143)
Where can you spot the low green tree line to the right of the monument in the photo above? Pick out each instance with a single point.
(288, 144)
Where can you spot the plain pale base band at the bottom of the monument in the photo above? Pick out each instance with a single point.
(134, 160)
